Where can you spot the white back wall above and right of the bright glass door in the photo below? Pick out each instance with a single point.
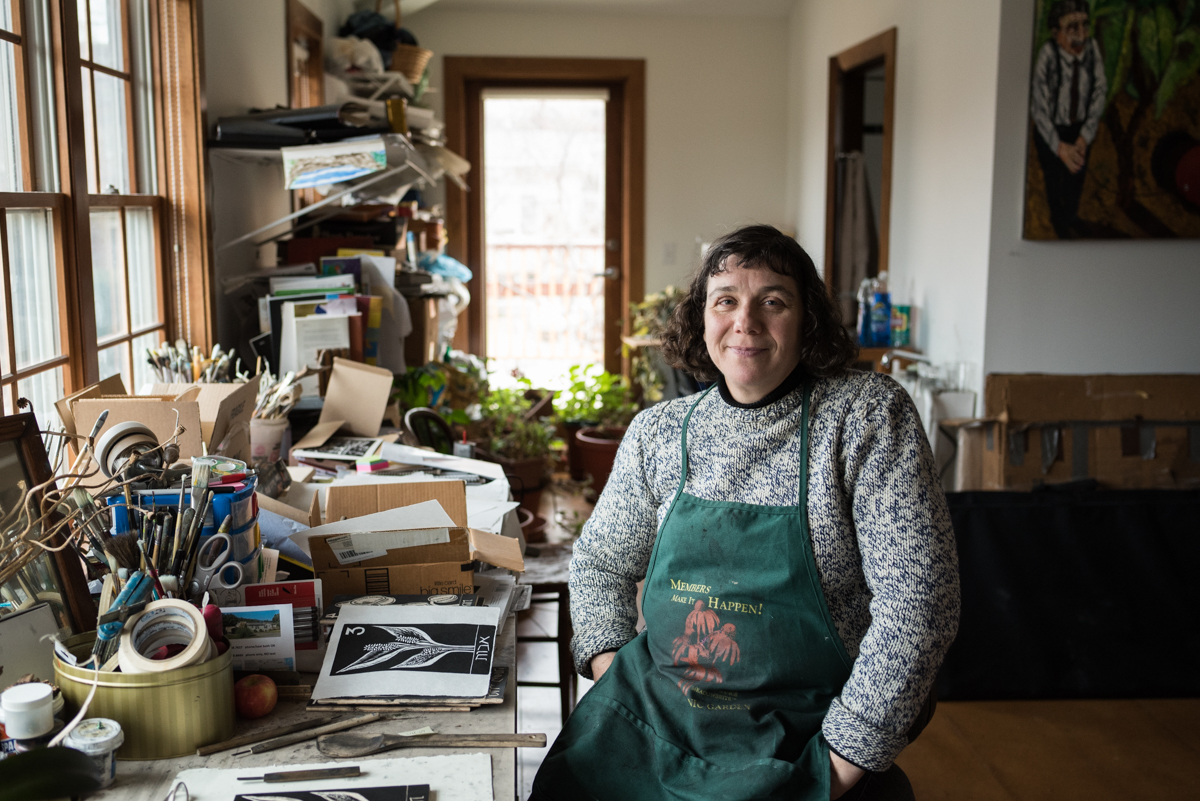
(715, 110)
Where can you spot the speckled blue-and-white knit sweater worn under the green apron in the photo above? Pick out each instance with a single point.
(879, 522)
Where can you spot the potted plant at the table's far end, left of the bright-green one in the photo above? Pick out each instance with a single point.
(519, 442)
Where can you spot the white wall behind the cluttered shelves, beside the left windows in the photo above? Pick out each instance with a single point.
(247, 67)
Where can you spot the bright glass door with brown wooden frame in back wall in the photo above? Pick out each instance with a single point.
(554, 237)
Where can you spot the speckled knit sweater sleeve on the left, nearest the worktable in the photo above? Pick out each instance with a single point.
(614, 552)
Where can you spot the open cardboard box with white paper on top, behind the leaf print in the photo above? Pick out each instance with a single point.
(429, 551)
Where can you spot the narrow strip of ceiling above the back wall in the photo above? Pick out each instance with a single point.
(765, 9)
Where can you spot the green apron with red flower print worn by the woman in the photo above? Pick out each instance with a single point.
(723, 695)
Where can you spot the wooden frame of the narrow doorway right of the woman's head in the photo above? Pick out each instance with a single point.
(883, 47)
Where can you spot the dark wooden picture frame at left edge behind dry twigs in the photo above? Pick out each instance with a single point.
(56, 579)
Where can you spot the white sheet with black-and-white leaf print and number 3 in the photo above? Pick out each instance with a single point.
(431, 652)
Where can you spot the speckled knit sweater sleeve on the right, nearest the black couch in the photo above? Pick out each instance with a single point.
(910, 564)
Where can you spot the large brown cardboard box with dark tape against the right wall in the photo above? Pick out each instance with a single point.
(1127, 432)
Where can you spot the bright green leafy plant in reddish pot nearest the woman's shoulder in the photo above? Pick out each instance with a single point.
(595, 409)
